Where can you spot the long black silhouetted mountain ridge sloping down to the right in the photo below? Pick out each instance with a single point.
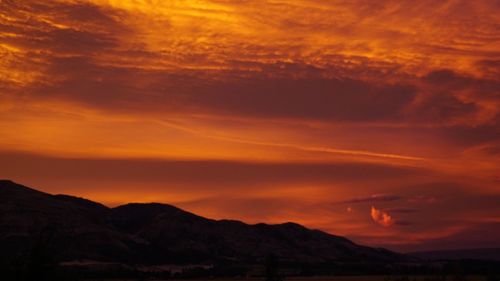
(79, 229)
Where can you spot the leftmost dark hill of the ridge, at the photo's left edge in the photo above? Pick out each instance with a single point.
(74, 228)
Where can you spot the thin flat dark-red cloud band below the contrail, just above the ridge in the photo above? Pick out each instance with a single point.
(199, 173)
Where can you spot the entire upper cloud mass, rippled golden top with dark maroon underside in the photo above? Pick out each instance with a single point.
(90, 56)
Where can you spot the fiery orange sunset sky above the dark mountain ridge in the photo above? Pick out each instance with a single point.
(374, 120)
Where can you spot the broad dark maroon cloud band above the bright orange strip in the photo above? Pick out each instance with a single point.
(83, 80)
